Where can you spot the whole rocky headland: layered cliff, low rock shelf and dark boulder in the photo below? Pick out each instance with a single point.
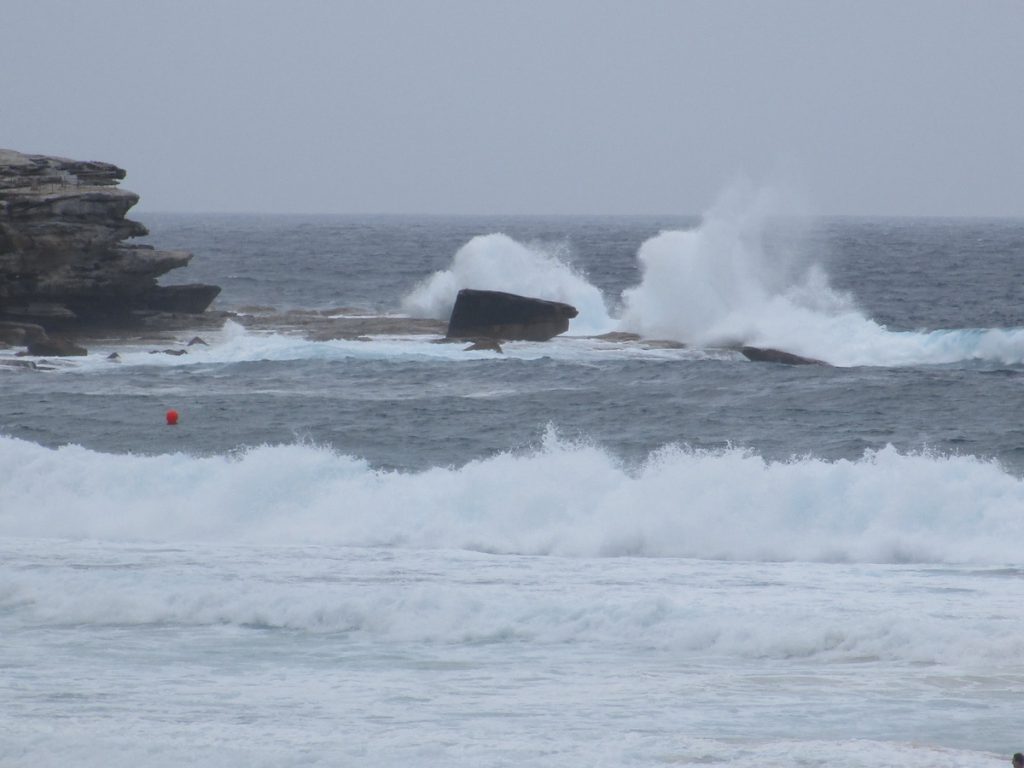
(68, 277)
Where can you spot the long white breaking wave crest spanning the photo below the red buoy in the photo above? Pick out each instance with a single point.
(564, 499)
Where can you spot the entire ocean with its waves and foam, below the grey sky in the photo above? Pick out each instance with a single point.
(593, 551)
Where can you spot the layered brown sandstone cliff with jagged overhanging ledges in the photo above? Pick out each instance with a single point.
(64, 263)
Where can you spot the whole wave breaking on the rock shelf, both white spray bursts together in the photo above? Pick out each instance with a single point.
(724, 283)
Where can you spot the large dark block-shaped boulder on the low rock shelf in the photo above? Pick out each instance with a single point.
(495, 315)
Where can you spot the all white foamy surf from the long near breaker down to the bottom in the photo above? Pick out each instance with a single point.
(223, 611)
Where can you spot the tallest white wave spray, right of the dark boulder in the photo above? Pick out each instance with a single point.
(735, 281)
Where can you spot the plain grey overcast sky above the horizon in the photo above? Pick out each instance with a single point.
(904, 108)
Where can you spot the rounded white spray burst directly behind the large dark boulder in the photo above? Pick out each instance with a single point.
(497, 263)
